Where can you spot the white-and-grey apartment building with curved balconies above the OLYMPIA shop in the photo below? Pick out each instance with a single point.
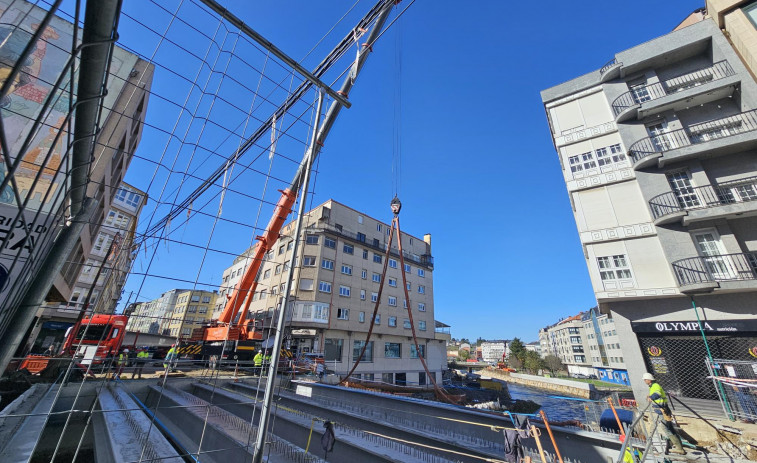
(657, 149)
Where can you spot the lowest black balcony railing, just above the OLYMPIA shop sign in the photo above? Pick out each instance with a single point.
(727, 267)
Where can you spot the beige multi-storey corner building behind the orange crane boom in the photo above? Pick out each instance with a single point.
(337, 275)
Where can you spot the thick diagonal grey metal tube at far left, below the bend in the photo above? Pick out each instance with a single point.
(39, 287)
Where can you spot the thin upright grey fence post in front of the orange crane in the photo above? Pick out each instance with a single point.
(268, 397)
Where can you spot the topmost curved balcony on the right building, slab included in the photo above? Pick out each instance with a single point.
(631, 102)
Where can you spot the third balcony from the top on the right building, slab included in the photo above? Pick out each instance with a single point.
(730, 198)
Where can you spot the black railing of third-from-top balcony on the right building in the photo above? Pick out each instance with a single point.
(703, 197)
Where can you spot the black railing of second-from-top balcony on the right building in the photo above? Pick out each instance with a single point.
(694, 134)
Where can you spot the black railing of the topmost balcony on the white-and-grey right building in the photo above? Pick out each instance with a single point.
(644, 93)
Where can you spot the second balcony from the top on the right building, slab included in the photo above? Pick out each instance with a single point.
(650, 150)
